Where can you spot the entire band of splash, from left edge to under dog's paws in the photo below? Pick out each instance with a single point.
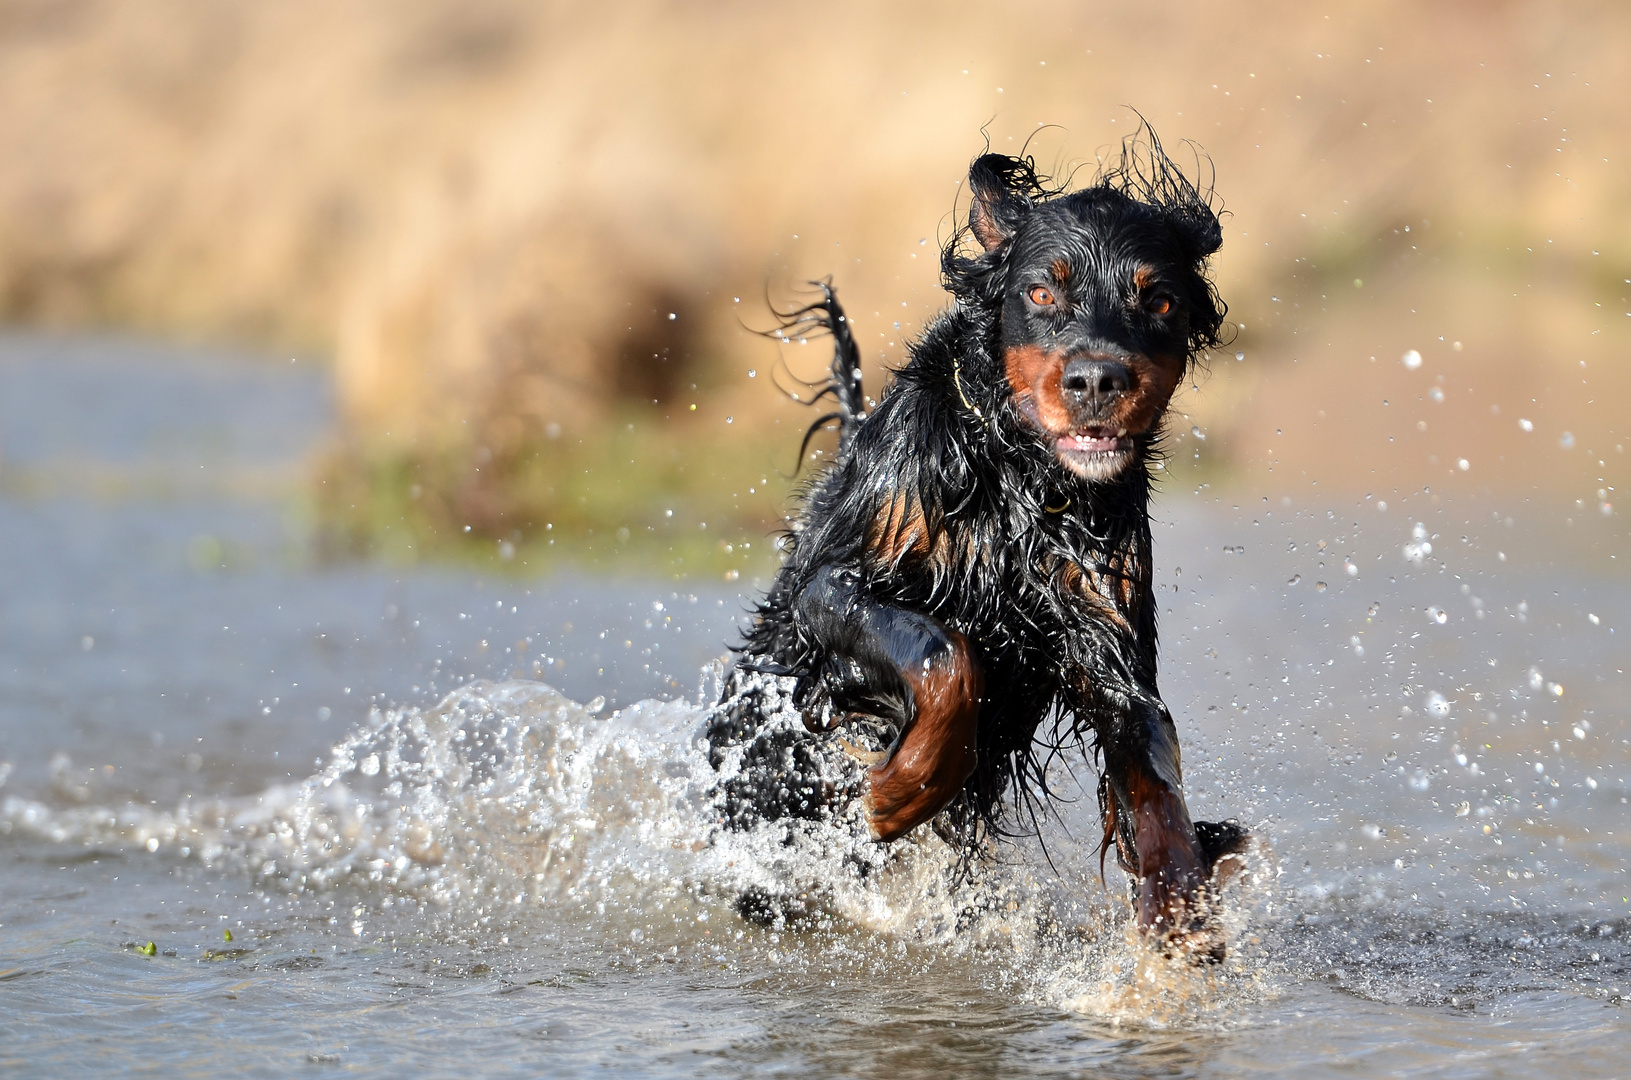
(508, 802)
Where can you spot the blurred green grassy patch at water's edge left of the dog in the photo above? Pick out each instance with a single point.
(639, 495)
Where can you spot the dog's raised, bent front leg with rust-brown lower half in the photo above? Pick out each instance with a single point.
(911, 670)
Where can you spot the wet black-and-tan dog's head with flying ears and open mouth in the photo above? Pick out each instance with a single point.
(1103, 298)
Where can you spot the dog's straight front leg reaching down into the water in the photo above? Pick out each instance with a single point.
(1143, 764)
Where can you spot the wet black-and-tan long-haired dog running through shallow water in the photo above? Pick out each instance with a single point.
(968, 586)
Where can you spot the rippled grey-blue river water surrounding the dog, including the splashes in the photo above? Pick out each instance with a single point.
(263, 817)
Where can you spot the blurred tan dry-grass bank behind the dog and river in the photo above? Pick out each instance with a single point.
(531, 241)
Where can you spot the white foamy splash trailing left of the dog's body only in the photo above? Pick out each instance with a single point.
(500, 794)
